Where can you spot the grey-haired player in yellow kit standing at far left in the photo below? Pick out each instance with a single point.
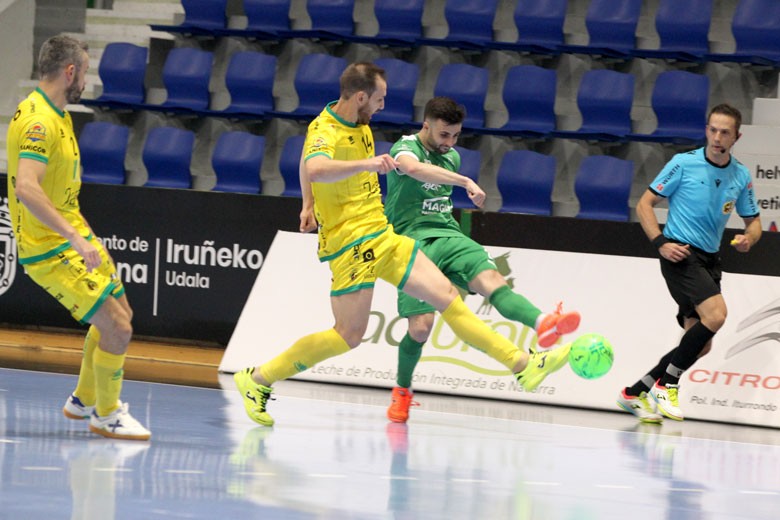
(56, 245)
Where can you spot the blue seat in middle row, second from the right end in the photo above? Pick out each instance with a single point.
(604, 98)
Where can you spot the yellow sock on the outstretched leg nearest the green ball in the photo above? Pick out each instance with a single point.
(473, 331)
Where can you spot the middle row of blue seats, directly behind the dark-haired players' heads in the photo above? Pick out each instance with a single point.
(604, 98)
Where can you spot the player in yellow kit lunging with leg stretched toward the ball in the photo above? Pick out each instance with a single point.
(341, 197)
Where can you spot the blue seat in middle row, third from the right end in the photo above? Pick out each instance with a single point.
(529, 97)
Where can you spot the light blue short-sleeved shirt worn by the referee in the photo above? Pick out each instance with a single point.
(702, 196)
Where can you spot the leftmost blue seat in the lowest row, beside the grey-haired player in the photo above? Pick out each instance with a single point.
(103, 146)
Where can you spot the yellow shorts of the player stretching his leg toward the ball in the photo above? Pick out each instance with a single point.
(388, 256)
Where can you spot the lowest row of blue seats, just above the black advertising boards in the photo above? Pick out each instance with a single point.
(525, 179)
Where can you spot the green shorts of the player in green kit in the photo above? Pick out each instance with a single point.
(460, 259)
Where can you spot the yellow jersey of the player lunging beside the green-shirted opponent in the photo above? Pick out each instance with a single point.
(348, 211)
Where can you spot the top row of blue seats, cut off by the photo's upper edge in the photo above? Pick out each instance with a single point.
(683, 26)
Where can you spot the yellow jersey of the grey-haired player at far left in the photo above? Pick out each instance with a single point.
(42, 132)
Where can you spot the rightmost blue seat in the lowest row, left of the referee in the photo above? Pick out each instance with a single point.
(602, 185)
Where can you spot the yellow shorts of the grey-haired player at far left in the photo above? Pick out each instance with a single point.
(67, 280)
